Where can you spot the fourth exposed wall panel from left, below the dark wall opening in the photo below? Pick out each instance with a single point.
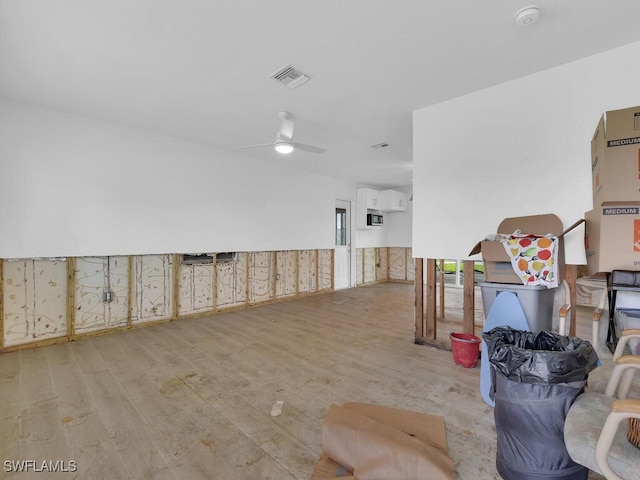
(195, 288)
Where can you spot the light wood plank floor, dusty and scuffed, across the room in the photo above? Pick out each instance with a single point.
(192, 398)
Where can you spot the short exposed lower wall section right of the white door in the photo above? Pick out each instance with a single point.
(380, 264)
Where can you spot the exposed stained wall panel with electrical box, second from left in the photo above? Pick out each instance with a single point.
(101, 293)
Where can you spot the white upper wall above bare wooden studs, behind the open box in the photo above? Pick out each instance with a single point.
(520, 148)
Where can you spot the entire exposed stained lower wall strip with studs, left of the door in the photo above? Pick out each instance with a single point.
(51, 300)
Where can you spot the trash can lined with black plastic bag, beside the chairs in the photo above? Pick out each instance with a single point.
(536, 377)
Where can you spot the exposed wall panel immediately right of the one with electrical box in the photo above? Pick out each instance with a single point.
(152, 288)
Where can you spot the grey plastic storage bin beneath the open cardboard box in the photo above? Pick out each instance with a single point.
(536, 302)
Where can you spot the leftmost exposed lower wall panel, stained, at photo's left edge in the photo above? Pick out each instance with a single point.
(34, 300)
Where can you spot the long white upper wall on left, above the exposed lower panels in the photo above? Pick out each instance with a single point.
(71, 186)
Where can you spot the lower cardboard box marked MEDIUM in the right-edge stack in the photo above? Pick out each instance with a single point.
(612, 238)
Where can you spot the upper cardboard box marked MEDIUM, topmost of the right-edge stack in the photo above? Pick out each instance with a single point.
(615, 157)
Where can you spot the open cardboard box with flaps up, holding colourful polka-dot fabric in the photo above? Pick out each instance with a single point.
(497, 264)
